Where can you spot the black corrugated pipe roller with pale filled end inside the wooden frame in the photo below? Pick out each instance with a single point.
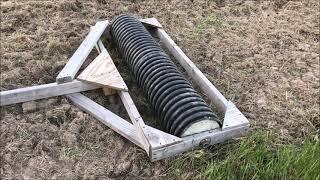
(180, 109)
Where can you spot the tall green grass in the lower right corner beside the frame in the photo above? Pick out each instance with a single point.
(257, 156)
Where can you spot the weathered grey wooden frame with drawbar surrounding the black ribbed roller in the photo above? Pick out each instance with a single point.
(102, 73)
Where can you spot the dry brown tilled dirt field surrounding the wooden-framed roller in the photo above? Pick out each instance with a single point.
(263, 55)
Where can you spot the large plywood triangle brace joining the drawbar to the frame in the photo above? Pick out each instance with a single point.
(102, 71)
